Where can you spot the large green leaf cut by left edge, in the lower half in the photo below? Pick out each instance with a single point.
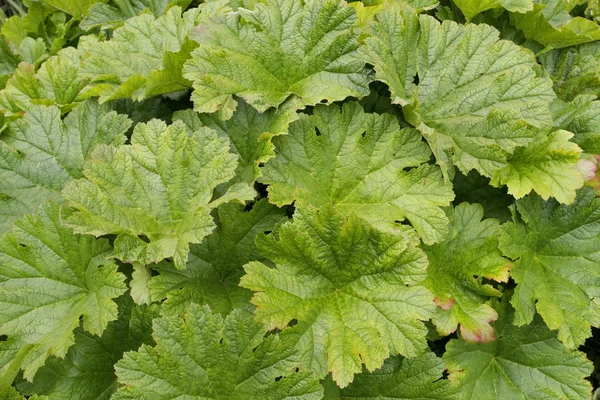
(49, 279)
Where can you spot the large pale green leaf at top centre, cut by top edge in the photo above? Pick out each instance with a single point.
(282, 47)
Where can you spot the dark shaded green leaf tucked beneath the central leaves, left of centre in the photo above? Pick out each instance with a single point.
(214, 268)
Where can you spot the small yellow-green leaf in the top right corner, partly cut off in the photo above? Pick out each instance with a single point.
(550, 24)
